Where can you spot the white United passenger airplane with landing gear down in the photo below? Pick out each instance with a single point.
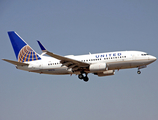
(100, 64)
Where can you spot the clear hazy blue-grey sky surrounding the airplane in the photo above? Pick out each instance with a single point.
(78, 27)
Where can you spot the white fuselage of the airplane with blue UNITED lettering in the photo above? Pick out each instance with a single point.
(113, 60)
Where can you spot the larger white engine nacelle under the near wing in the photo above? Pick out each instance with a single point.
(97, 67)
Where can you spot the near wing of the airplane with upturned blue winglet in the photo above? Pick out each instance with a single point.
(70, 63)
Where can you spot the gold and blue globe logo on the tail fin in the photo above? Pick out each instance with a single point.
(26, 54)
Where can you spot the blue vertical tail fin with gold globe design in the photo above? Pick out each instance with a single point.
(23, 52)
